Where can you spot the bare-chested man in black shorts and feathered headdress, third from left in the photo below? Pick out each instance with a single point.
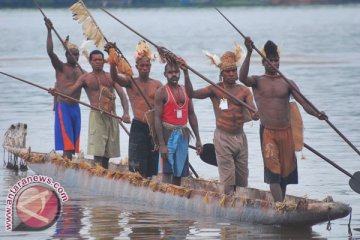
(143, 156)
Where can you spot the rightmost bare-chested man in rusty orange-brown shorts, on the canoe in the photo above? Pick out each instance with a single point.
(272, 94)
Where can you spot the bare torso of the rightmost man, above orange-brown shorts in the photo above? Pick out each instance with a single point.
(272, 96)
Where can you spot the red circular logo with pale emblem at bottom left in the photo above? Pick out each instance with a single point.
(38, 207)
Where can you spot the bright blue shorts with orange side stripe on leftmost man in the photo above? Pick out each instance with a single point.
(67, 126)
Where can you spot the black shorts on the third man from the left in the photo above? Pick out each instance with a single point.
(142, 158)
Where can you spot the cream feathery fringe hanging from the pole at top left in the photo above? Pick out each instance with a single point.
(90, 29)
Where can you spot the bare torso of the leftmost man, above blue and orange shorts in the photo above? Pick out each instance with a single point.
(65, 79)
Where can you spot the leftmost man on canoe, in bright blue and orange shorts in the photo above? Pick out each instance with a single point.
(67, 113)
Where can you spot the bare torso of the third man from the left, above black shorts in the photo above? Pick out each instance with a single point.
(138, 104)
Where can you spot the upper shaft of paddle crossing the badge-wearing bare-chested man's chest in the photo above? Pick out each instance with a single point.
(168, 53)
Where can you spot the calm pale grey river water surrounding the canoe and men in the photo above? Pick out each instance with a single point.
(319, 51)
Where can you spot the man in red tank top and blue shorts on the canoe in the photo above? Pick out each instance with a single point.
(173, 109)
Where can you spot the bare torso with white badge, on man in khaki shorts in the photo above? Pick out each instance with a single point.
(231, 117)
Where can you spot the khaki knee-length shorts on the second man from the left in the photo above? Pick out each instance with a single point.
(103, 135)
